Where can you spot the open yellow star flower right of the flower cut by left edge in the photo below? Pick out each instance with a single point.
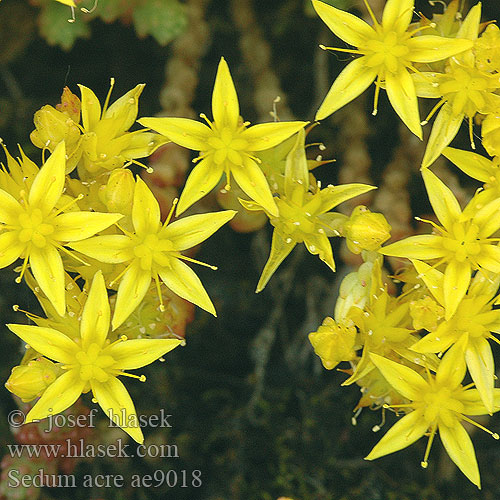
(153, 251)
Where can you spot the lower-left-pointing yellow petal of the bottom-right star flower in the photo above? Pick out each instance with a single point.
(403, 433)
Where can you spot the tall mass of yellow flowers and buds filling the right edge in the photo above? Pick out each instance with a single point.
(410, 351)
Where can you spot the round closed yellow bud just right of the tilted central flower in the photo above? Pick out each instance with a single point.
(365, 230)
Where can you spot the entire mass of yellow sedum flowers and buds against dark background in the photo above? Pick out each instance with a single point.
(409, 340)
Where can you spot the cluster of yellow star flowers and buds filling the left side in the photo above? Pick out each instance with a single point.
(77, 238)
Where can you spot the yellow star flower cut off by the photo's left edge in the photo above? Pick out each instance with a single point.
(36, 228)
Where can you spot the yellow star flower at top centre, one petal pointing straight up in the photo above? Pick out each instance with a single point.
(226, 145)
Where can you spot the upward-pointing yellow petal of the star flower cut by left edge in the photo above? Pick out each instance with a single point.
(49, 182)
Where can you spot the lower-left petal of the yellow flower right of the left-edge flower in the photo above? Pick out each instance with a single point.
(132, 289)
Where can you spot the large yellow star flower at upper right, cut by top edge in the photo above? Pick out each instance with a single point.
(388, 51)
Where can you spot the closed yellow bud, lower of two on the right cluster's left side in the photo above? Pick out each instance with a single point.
(333, 343)
